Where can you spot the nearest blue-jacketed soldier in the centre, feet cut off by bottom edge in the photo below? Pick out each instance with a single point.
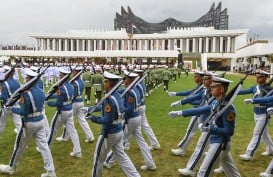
(112, 108)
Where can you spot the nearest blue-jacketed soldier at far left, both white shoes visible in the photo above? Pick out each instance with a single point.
(31, 103)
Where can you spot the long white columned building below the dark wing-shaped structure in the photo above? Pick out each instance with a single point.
(209, 47)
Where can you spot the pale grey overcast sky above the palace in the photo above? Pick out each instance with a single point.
(21, 17)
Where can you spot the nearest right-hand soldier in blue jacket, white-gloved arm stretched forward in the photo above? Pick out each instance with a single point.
(221, 130)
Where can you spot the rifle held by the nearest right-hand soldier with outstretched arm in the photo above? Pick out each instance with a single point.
(225, 102)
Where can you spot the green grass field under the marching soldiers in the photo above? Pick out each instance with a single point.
(168, 131)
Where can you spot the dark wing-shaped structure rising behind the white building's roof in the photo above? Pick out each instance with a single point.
(215, 17)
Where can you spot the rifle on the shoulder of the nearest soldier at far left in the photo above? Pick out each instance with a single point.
(16, 95)
